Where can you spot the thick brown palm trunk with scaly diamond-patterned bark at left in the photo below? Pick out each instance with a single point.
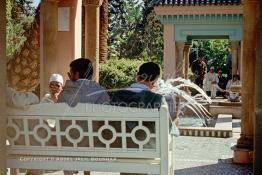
(23, 70)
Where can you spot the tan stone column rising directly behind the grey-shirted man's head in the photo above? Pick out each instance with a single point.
(92, 25)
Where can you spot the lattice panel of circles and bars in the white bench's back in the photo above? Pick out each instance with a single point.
(79, 132)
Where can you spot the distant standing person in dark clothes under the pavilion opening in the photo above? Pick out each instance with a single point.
(199, 70)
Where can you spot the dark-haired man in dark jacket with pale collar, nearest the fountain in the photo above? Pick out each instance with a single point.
(139, 94)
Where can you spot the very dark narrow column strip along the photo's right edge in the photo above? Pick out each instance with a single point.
(258, 107)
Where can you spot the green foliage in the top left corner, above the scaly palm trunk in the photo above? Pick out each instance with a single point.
(19, 18)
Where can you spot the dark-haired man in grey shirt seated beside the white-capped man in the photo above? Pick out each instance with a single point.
(80, 88)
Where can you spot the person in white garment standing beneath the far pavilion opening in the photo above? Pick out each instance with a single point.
(210, 83)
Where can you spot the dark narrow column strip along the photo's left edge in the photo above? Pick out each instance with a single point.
(2, 86)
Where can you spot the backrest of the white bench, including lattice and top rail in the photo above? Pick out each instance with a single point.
(88, 130)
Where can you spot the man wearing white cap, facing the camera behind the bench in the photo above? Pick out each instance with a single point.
(55, 87)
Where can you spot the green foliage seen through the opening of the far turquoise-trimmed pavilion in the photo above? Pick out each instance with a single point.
(215, 52)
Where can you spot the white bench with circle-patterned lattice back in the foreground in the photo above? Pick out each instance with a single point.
(80, 143)
